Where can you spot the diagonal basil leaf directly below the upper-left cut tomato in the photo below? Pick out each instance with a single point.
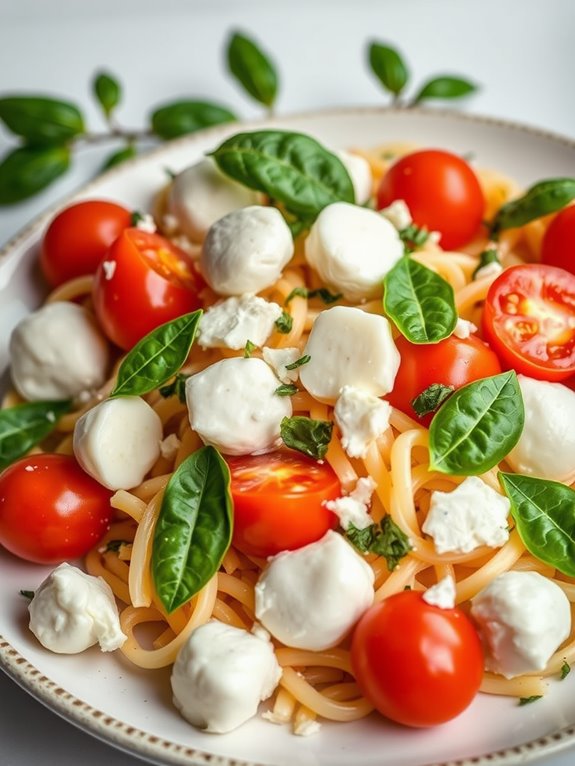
(157, 357)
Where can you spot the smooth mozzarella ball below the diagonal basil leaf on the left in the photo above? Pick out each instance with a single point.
(118, 441)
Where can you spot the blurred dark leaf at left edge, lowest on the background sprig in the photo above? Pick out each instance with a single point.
(26, 171)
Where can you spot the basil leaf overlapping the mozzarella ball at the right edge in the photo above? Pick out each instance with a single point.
(477, 426)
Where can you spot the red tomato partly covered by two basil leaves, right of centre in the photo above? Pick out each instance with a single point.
(453, 362)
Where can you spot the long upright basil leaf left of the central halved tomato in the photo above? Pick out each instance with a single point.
(194, 528)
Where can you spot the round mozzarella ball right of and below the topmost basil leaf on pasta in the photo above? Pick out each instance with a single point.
(352, 249)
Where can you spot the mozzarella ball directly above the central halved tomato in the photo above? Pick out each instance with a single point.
(233, 406)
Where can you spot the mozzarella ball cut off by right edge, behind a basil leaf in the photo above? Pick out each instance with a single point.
(546, 447)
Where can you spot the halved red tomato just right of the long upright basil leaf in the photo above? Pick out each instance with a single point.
(279, 501)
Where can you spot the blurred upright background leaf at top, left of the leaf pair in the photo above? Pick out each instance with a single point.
(252, 69)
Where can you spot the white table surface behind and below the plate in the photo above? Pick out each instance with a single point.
(521, 52)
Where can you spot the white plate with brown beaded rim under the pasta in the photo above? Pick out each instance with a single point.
(130, 708)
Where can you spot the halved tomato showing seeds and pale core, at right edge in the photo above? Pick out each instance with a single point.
(529, 320)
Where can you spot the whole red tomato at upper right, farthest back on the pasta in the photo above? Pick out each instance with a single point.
(441, 191)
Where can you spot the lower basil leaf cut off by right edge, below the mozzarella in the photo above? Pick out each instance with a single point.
(544, 512)
